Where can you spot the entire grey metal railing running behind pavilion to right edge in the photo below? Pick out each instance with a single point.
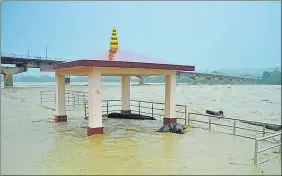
(76, 99)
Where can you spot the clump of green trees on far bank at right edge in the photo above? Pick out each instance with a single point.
(273, 78)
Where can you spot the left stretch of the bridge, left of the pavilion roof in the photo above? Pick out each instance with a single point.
(22, 63)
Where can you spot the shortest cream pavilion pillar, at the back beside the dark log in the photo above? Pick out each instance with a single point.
(125, 88)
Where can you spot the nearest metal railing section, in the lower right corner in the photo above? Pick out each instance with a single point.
(257, 151)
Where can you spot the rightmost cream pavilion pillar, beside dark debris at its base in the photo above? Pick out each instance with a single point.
(170, 90)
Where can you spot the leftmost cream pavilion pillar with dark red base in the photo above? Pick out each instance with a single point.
(60, 99)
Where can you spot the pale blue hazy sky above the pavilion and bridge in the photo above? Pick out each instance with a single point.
(208, 35)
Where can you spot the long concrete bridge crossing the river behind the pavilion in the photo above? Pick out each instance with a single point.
(22, 62)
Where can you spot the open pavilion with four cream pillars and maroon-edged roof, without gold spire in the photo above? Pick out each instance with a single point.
(125, 64)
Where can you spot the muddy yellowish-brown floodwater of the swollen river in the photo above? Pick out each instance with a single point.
(31, 143)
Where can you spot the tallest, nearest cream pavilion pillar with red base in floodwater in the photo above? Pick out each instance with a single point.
(94, 103)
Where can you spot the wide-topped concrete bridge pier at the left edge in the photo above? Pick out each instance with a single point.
(8, 73)
